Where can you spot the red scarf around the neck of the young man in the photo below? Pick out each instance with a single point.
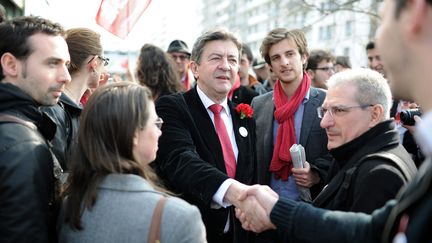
(281, 163)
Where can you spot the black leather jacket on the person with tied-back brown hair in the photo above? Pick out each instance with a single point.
(66, 115)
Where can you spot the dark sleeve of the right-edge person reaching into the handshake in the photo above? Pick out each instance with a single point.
(415, 201)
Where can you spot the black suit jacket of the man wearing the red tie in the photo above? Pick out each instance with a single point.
(190, 158)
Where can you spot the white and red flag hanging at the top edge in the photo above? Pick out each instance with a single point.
(119, 16)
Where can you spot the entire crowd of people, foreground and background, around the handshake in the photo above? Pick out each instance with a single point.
(197, 144)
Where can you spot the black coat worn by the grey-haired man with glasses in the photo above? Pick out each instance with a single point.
(363, 185)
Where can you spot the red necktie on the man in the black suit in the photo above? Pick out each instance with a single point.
(228, 153)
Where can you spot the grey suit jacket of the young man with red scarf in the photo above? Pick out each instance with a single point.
(312, 137)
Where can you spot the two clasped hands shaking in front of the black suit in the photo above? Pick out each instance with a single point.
(253, 207)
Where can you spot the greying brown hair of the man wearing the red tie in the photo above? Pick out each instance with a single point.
(212, 35)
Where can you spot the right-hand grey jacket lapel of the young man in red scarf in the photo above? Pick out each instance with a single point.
(309, 116)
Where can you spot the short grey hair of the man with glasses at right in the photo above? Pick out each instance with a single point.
(372, 87)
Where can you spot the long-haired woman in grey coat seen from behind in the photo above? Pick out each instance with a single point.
(112, 192)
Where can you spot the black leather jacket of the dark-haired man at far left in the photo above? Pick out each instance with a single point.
(27, 208)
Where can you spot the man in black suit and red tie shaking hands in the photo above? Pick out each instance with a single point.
(207, 163)
